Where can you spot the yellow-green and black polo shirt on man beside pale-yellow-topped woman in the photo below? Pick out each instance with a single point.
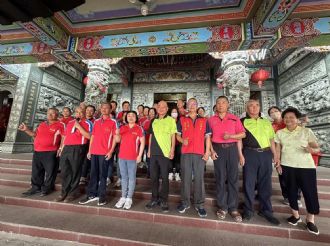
(259, 132)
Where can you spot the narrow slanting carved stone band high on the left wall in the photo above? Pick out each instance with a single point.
(55, 83)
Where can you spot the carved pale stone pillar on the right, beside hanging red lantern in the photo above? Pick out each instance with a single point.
(236, 79)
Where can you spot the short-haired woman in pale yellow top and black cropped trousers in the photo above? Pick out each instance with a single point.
(295, 146)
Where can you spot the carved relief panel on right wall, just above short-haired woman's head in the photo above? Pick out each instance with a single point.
(311, 98)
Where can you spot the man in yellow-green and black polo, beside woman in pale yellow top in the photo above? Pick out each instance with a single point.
(259, 153)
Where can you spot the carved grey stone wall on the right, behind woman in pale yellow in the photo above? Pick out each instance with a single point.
(304, 84)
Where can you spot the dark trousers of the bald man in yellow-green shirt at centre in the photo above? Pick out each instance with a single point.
(159, 166)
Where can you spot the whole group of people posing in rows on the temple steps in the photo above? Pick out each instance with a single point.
(179, 145)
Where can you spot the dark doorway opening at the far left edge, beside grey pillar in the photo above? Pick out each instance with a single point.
(6, 101)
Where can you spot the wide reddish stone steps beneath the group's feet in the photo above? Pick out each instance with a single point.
(41, 216)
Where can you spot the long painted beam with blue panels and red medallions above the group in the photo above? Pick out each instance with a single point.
(293, 33)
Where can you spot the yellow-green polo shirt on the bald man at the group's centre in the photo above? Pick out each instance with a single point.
(162, 130)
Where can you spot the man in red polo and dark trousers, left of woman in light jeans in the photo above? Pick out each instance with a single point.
(101, 148)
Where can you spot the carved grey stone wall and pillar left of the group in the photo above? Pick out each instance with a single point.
(37, 89)
